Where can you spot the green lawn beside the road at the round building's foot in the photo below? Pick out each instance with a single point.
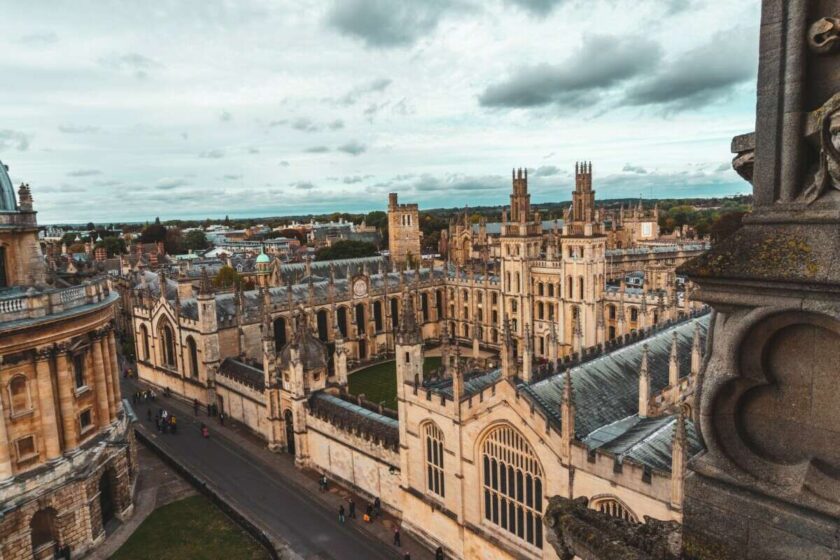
(190, 528)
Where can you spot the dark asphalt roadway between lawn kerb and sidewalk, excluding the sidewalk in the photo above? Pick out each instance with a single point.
(281, 505)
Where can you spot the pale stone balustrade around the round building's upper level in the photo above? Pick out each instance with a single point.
(37, 304)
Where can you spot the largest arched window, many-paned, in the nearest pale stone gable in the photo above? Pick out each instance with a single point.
(512, 482)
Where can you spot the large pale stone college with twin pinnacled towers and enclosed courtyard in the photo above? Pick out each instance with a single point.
(515, 335)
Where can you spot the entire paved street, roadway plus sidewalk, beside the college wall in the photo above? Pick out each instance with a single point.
(282, 500)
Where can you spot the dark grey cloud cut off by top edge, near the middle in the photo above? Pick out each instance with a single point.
(385, 24)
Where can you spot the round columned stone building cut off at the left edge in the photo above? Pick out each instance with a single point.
(67, 454)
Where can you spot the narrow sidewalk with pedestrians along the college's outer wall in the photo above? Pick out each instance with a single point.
(382, 529)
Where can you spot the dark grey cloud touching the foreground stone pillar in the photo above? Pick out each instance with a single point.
(703, 75)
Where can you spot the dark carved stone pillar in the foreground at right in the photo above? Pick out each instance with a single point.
(768, 407)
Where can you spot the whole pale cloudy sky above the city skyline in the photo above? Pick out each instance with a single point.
(127, 110)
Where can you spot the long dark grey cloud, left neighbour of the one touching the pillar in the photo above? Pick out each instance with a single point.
(602, 62)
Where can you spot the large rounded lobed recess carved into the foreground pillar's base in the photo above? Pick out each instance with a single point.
(775, 418)
